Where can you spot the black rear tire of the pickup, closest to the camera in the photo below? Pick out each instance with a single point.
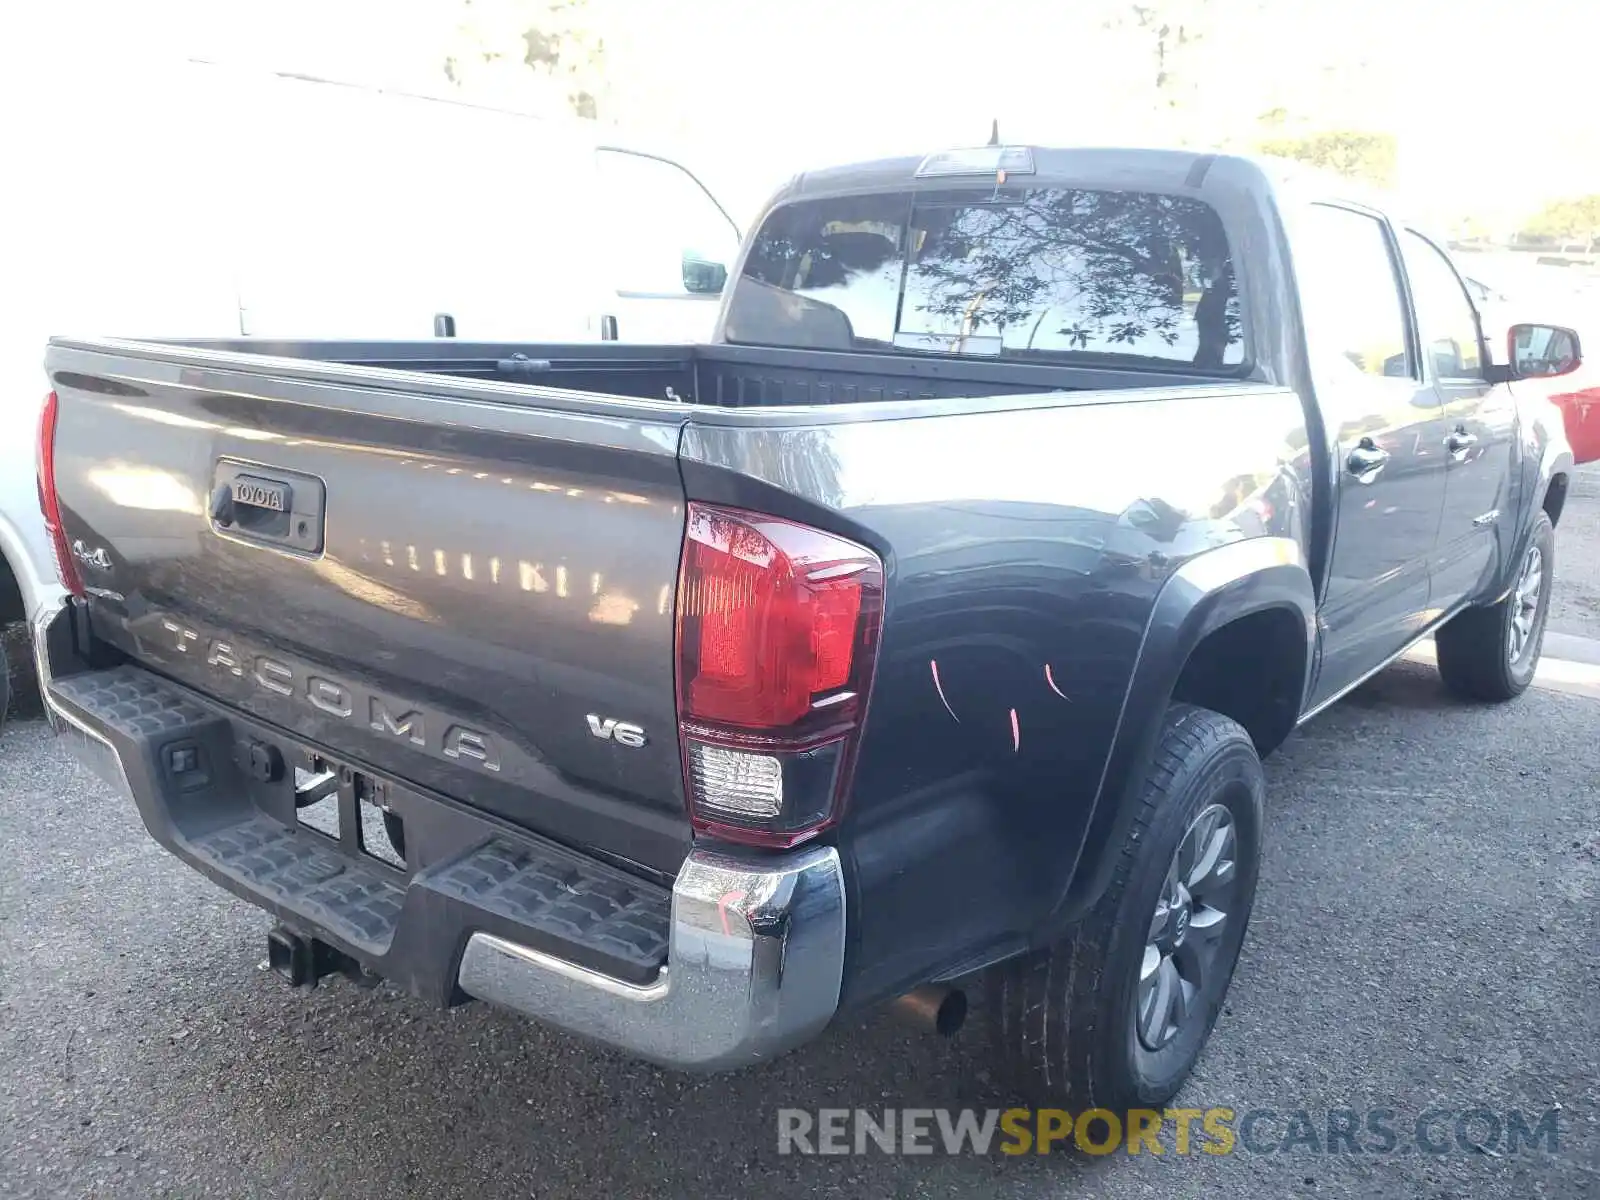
(1065, 1020)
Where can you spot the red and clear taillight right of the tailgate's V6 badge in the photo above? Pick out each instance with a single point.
(777, 641)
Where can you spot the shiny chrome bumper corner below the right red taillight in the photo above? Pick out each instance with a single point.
(754, 967)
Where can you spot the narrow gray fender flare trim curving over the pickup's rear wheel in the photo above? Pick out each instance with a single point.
(1206, 594)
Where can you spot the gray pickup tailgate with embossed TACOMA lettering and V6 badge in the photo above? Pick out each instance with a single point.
(474, 596)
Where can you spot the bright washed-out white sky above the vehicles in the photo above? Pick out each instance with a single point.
(1492, 103)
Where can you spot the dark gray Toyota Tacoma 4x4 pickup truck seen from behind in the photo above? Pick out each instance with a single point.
(926, 628)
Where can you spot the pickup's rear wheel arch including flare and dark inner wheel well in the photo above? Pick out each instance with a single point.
(1214, 606)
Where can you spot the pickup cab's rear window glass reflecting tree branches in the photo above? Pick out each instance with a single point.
(1023, 274)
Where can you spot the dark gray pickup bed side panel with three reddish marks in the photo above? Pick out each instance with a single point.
(1026, 546)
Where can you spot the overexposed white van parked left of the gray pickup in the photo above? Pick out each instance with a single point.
(198, 201)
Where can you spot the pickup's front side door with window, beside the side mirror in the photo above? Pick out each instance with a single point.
(1479, 425)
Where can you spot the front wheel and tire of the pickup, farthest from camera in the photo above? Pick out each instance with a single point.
(1478, 657)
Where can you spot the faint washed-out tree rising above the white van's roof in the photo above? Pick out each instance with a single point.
(534, 54)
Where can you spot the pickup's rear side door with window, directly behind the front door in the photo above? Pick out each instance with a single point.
(1390, 431)
